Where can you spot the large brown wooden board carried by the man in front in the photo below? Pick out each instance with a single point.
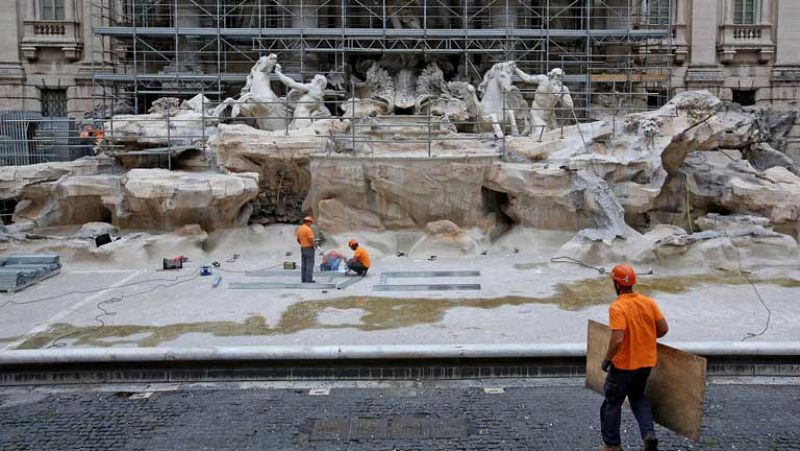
(676, 387)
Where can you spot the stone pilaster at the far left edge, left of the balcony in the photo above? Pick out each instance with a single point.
(11, 72)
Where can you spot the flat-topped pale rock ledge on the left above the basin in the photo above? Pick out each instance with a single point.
(86, 190)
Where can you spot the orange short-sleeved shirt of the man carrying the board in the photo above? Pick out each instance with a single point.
(637, 315)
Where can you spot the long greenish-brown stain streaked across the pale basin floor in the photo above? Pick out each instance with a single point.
(380, 313)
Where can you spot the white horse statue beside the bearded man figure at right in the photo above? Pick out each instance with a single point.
(502, 105)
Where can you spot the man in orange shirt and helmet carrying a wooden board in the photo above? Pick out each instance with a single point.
(636, 322)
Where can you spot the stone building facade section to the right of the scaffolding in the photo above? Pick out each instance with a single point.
(742, 50)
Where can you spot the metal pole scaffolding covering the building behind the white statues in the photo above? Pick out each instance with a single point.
(616, 53)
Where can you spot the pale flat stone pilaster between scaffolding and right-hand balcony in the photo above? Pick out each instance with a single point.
(704, 70)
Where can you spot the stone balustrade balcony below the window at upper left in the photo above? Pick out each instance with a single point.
(60, 34)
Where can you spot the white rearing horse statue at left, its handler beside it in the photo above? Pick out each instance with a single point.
(257, 100)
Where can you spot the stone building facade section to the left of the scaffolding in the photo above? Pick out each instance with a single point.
(45, 57)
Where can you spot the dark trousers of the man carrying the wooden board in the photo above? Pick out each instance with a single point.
(620, 384)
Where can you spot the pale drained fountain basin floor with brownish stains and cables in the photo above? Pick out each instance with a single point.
(523, 299)
